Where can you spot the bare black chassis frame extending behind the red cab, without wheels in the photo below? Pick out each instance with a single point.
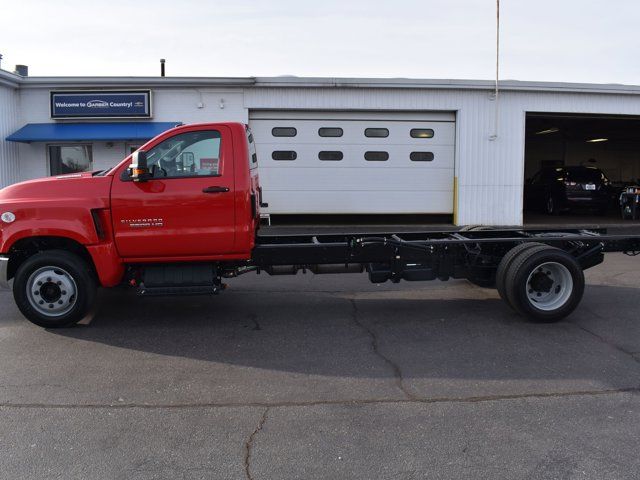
(376, 247)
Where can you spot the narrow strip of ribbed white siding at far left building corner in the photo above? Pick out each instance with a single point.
(9, 122)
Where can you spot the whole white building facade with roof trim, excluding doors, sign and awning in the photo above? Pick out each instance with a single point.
(490, 173)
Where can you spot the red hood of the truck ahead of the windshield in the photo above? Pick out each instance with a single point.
(83, 187)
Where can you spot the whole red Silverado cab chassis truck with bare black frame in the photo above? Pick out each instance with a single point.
(167, 223)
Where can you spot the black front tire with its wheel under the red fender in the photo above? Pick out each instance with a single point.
(73, 305)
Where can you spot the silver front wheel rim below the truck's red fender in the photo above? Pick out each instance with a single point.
(51, 291)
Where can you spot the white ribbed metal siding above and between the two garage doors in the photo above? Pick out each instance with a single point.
(490, 172)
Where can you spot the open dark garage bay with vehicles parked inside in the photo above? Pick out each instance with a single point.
(577, 167)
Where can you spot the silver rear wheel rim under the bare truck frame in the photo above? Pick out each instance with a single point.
(549, 286)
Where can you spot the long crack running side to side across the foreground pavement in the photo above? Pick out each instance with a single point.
(415, 400)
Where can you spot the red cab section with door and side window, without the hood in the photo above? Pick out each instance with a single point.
(199, 200)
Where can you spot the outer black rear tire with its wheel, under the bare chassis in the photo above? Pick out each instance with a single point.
(568, 284)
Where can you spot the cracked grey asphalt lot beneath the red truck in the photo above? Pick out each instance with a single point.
(311, 377)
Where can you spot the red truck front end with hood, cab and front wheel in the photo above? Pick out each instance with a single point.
(199, 202)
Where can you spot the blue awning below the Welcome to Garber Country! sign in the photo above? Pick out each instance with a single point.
(75, 132)
